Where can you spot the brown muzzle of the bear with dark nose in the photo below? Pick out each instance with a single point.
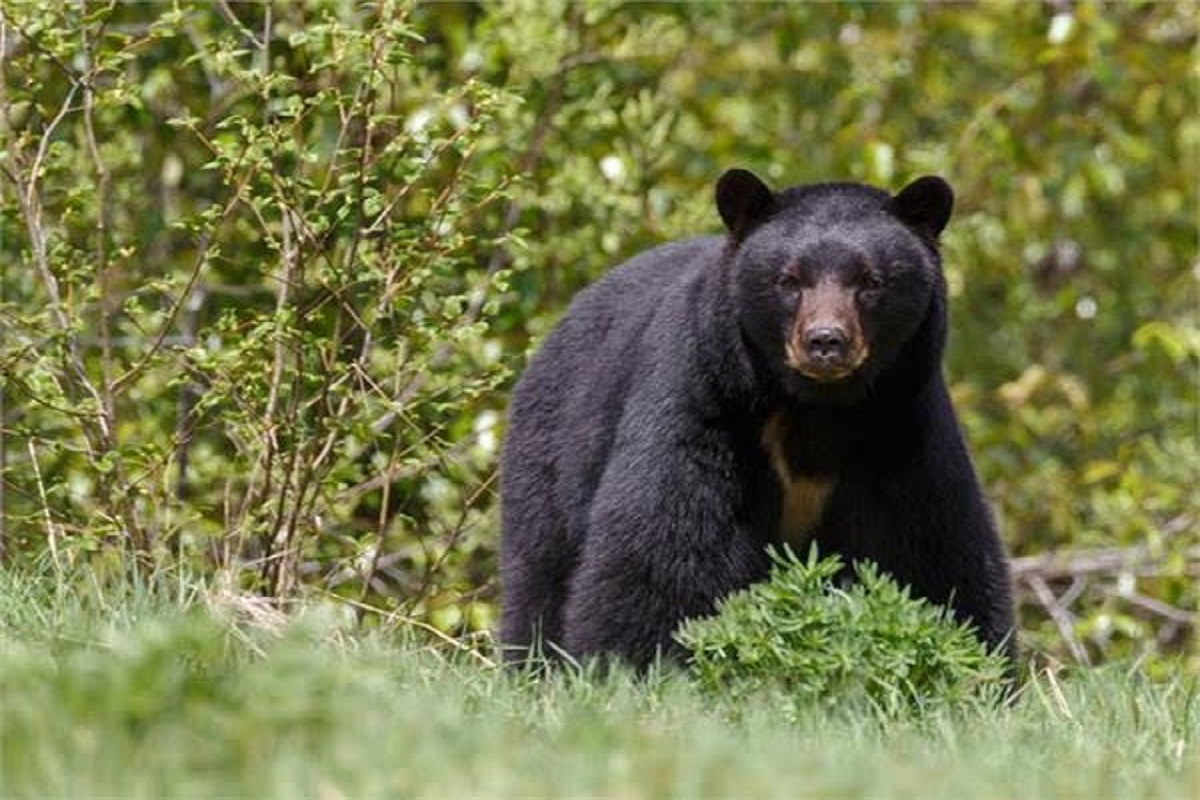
(826, 340)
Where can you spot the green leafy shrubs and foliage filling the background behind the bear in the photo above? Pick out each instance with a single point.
(268, 270)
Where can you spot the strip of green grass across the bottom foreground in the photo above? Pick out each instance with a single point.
(182, 694)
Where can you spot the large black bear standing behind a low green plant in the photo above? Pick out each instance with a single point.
(715, 396)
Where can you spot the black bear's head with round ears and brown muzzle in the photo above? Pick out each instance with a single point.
(838, 286)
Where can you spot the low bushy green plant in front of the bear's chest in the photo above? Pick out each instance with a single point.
(821, 642)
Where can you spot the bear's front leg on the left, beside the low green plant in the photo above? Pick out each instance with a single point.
(657, 552)
